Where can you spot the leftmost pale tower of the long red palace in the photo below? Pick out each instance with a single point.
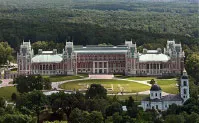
(24, 57)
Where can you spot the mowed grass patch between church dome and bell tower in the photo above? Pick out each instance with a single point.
(168, 86)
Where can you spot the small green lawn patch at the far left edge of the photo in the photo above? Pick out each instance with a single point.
(6, 92)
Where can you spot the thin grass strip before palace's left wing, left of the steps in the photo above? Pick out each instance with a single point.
(62, 78)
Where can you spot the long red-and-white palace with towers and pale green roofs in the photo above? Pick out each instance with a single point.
(95, 59)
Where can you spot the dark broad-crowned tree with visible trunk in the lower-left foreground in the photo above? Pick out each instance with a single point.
(34, 101)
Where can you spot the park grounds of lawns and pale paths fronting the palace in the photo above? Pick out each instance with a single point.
(122, 86)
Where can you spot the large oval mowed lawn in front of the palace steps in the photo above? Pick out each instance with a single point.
(114, 86)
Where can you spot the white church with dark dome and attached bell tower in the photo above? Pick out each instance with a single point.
(157, 101)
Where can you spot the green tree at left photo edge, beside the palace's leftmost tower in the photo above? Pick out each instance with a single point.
(5, 53)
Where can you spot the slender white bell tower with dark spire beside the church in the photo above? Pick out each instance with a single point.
(184, 86)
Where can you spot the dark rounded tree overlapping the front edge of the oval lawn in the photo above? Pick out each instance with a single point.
(96, 91)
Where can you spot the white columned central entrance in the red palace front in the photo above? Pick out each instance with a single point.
(100, 67)
